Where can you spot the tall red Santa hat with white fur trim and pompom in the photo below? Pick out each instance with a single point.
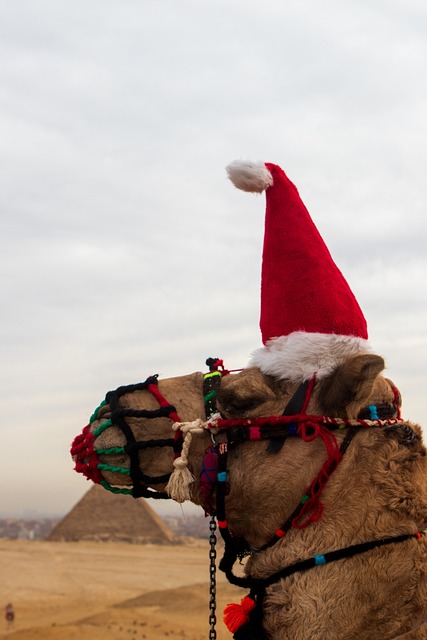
(310, 320)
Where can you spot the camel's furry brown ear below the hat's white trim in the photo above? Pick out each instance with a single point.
(348, 389)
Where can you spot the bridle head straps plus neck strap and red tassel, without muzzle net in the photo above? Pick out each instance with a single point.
(245, 620)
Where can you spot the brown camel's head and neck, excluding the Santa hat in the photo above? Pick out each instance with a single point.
(378, 491)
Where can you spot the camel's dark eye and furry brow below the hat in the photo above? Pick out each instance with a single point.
(242, 393)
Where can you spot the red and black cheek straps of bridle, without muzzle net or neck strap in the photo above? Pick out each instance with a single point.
(294, 422)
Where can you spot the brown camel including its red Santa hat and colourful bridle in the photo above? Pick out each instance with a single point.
(302, 457)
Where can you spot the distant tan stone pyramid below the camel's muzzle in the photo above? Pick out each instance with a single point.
(102, 516)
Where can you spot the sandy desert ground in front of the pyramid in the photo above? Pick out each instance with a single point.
(109, 591)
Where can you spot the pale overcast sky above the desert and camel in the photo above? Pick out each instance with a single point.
(125, 250)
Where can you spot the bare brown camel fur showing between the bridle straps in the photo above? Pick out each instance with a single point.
(378, 490)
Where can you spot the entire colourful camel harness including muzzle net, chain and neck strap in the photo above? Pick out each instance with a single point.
(247, 618)
